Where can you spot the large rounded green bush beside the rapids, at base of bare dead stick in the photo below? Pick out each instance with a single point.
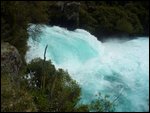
(59, 92)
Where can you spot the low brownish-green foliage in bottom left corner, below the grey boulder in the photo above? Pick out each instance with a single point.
(14, 95)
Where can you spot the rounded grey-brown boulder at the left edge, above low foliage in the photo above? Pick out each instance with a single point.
(10, 59)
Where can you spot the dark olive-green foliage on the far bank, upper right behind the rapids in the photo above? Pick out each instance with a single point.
(115, 18)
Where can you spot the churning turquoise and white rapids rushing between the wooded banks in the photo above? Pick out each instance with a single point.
(115, 67)
